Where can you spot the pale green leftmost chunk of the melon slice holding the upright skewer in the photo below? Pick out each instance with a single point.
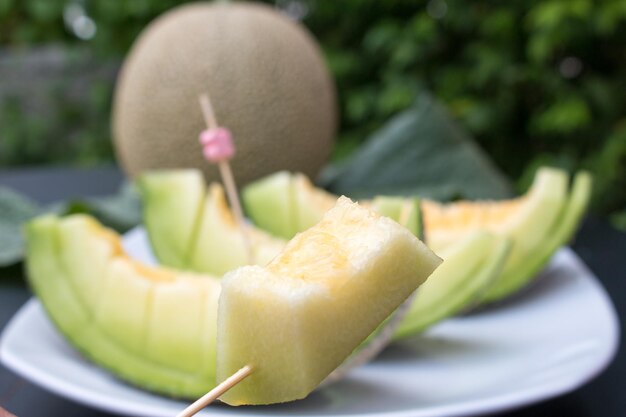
(172, 204)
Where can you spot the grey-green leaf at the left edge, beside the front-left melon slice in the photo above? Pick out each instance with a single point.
(15, 209)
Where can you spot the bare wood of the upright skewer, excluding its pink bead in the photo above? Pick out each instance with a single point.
(227, 178)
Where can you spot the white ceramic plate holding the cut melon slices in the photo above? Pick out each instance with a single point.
(548, 340)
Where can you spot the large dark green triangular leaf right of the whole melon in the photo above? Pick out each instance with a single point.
(421, 151)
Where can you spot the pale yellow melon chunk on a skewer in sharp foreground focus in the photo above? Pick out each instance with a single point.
(298, 318)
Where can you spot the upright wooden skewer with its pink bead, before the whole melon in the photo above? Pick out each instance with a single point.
(218, 148)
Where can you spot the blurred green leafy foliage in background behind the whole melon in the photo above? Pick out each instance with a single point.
(536, 82)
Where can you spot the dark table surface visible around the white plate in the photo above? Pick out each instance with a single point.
(600, 246)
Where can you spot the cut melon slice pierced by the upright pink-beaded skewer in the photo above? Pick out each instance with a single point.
(194, 229)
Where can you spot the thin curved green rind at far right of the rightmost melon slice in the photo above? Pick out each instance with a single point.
(558, 235)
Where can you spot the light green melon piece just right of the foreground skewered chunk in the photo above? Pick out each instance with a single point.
(469, 268)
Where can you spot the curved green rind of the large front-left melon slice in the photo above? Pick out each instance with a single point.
(70, 314)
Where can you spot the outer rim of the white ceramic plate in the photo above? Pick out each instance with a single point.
(494, 404)
